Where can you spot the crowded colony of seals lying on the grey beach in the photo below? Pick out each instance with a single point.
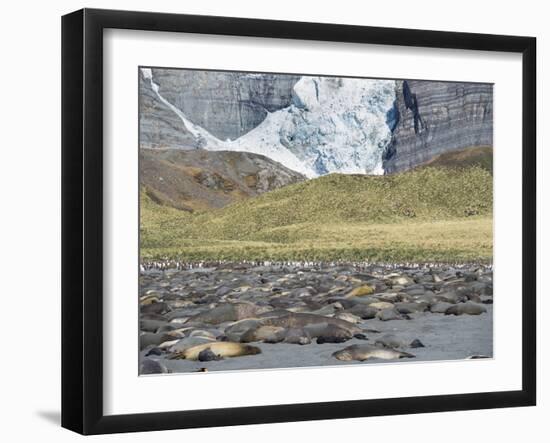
(250, 316)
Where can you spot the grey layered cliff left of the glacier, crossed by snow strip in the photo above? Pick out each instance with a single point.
(226, 104)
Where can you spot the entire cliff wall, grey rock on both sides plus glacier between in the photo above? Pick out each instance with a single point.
(314, 125)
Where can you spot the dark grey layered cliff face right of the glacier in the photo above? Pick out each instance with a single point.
(438, 117)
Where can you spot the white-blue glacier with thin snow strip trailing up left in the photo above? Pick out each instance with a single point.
(333, 125)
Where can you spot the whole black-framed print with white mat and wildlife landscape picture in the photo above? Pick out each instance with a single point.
(270, 221)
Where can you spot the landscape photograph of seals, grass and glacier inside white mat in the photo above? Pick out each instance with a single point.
(292, 220)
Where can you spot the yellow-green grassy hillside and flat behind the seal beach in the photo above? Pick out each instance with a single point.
(428, 214)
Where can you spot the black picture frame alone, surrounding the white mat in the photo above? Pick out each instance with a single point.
(82, 218)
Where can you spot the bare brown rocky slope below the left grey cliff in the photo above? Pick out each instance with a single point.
(198, 179)
